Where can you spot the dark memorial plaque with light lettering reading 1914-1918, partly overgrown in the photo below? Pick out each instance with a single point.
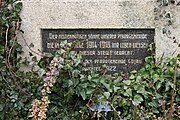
(118, 49)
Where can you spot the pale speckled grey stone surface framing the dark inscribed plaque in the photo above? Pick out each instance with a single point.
(39, 14)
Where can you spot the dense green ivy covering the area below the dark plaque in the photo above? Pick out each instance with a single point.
(146, 94)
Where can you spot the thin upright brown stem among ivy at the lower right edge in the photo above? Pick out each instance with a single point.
(173, 92)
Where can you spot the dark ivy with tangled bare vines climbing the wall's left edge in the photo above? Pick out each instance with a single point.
(16, 87)
